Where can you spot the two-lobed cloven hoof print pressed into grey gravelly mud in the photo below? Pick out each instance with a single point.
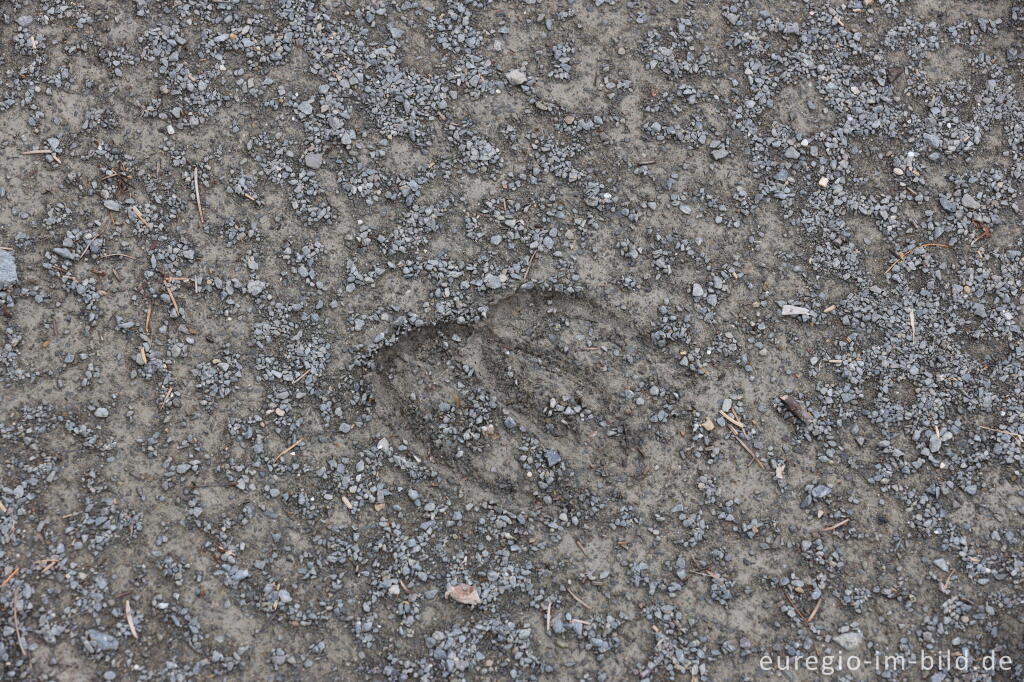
(544, 372)
